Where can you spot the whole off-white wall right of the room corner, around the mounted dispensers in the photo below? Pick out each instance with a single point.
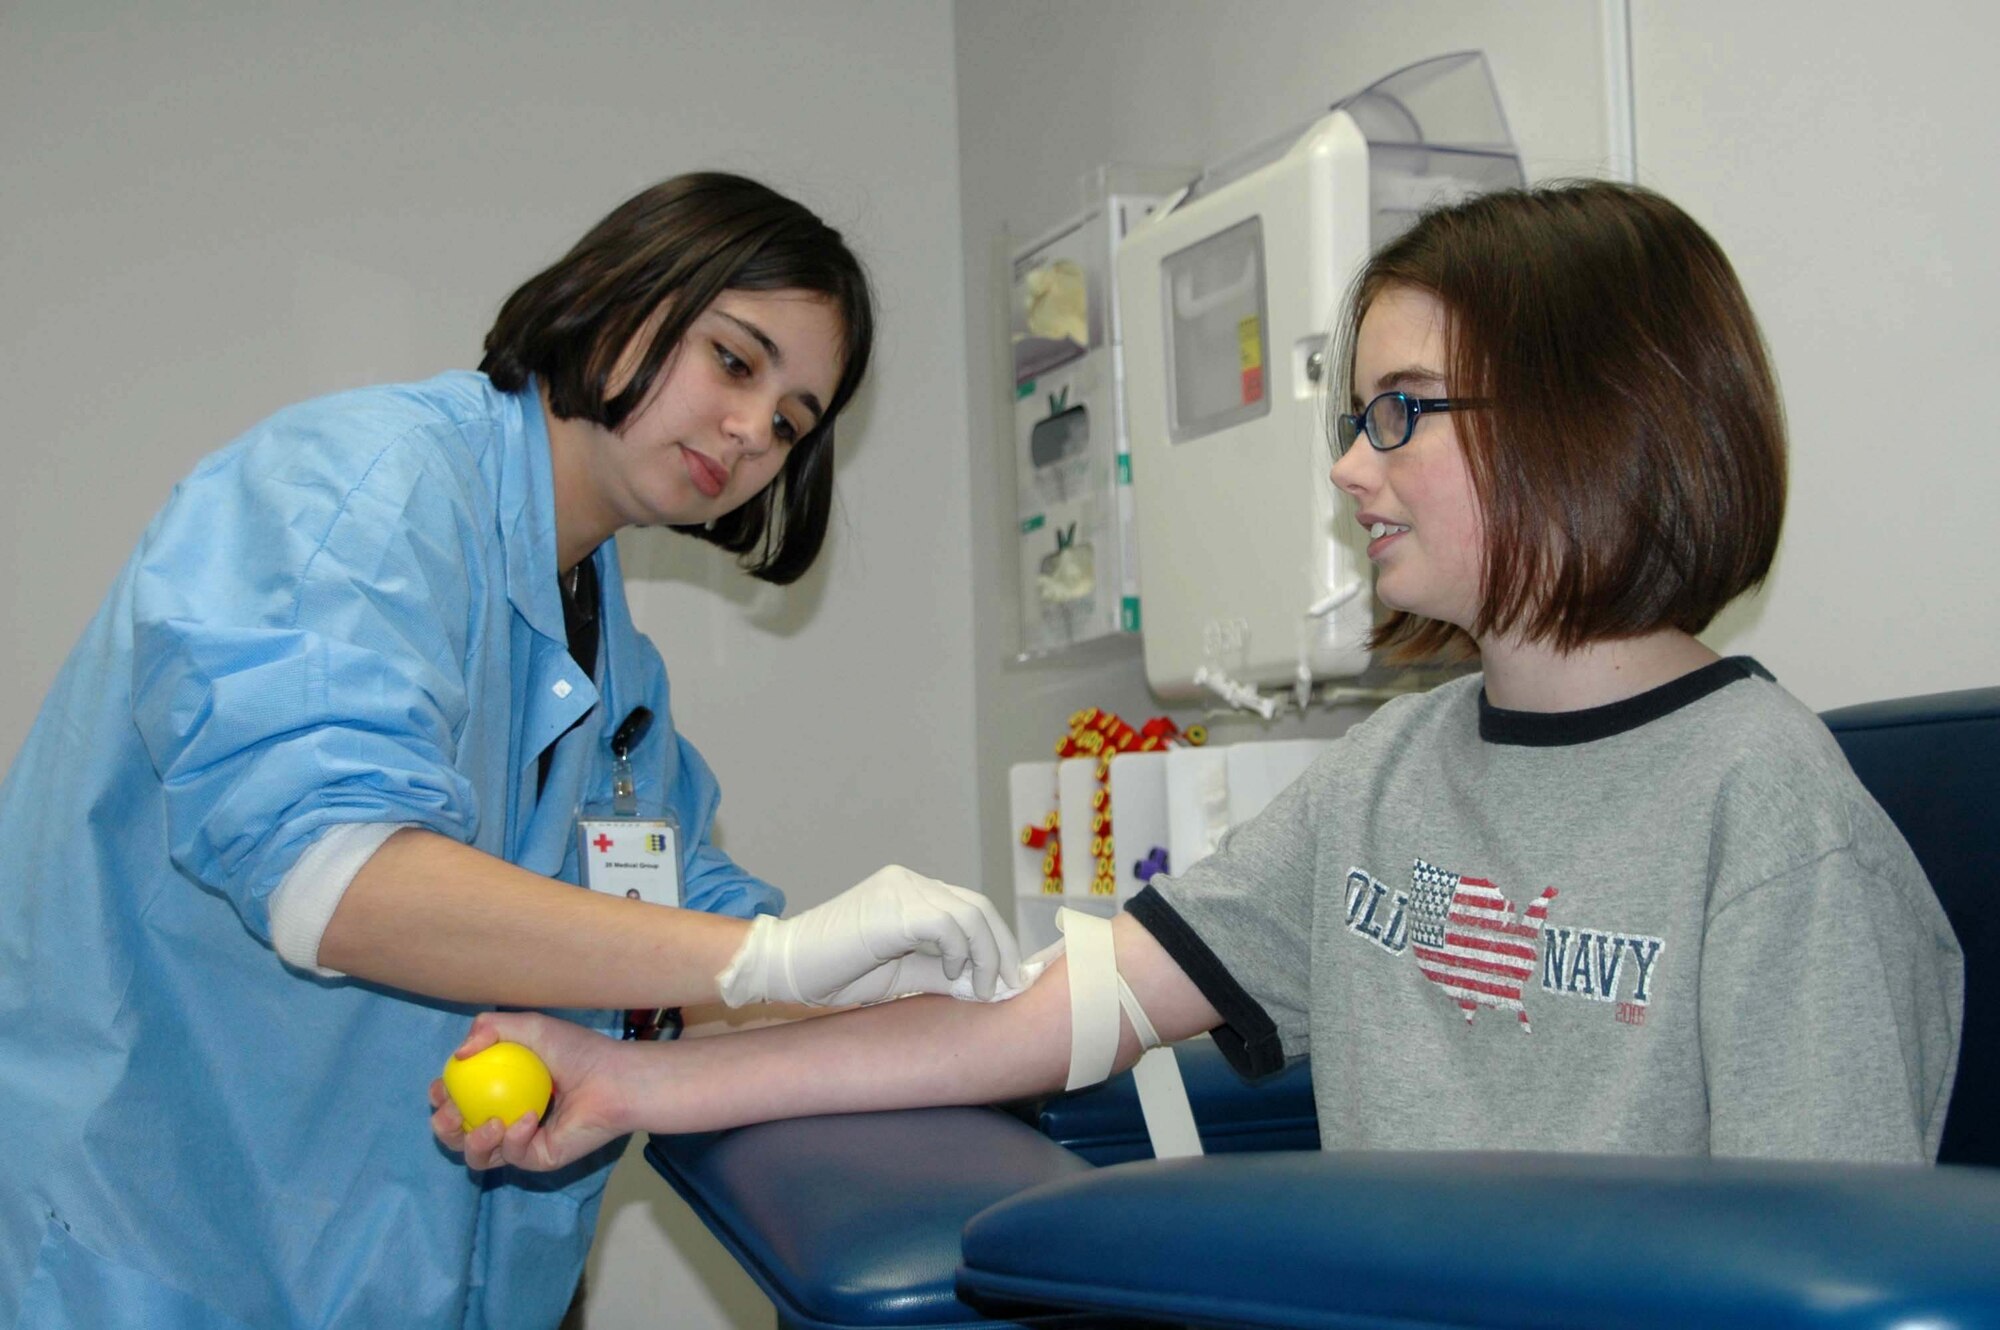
(1843, 157)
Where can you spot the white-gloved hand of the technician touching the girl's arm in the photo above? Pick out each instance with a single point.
(891, 935)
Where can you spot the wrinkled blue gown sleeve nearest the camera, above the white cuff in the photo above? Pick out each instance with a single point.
(301, 633)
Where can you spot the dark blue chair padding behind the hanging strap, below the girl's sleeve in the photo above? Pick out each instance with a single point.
(1231, 1113)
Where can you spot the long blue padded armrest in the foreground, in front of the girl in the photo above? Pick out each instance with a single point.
(1497, 1239)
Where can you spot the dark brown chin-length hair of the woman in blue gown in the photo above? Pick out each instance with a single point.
(669, 253)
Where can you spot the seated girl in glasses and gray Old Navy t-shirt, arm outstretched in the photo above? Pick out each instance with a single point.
(1609, 895)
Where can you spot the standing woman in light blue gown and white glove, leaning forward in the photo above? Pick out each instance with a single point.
(309, 791)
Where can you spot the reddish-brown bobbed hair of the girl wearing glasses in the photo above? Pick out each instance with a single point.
(1631, 459)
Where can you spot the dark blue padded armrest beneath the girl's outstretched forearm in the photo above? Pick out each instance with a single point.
(853, 1221)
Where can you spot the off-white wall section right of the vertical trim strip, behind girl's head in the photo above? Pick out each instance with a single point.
(1845, 159)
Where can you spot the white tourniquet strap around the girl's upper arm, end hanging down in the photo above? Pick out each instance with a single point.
(1097, 995)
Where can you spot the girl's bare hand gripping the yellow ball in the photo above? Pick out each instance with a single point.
(587, 1111)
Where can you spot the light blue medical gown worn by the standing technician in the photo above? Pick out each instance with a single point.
(349, 615)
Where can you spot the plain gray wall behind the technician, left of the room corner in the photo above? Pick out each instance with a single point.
(217, 209)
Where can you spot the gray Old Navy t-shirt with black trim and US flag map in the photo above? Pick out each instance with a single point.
(1675, 925)
